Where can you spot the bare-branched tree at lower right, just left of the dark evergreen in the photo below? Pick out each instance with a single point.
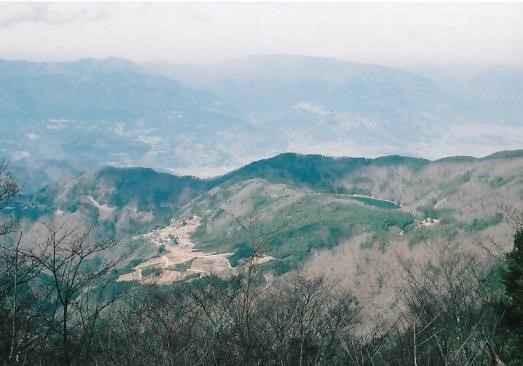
(450, 309)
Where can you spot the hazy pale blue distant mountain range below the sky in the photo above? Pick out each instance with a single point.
(204, 120)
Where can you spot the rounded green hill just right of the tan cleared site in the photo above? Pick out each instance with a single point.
(303, 220)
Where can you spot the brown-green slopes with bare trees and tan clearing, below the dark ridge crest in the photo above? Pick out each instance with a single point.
(264, 271)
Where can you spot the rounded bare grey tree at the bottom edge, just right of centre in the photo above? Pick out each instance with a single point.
(302, 320)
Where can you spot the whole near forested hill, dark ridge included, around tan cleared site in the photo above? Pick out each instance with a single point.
(301, 223)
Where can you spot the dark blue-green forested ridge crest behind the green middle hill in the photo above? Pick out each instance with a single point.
(302, 169)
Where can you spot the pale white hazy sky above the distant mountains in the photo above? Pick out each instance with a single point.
(206, 32)
